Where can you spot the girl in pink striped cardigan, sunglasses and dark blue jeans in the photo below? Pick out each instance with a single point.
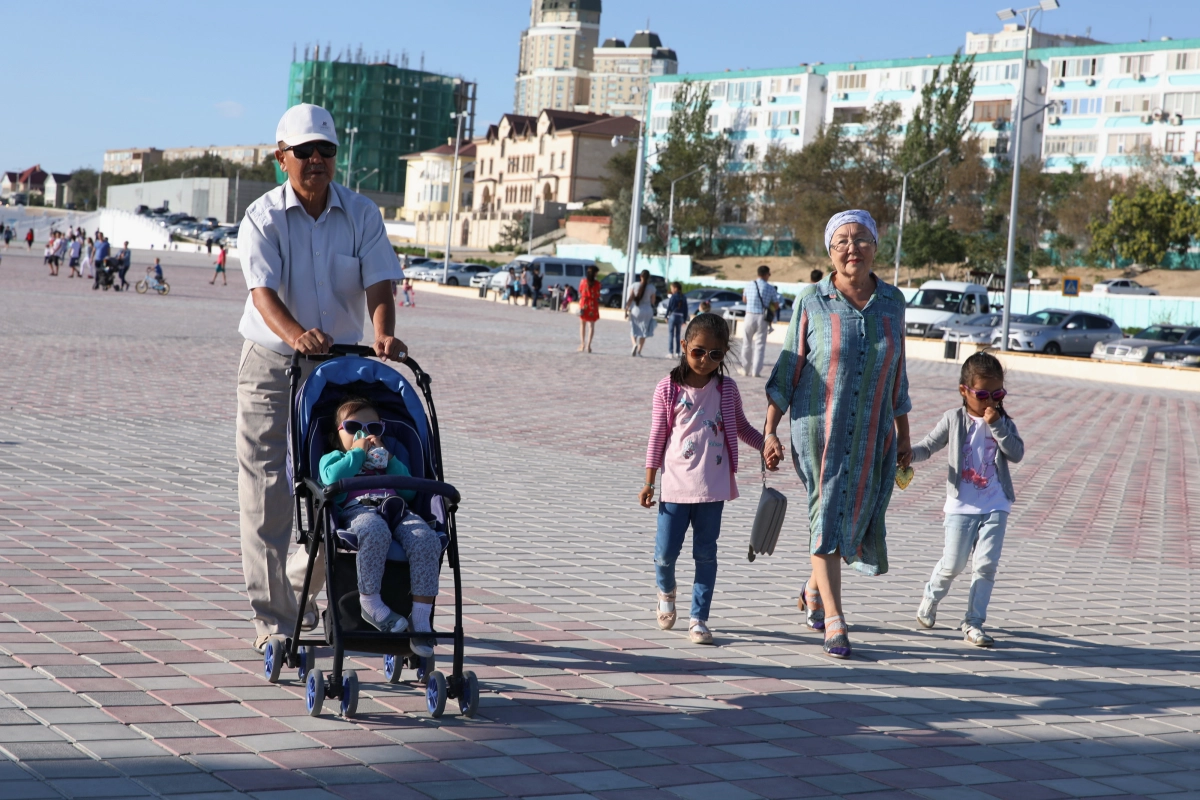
(697, 424)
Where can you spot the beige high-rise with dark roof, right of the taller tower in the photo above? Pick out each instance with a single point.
(621, 74)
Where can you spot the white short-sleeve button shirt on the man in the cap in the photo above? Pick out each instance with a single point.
(320, 268)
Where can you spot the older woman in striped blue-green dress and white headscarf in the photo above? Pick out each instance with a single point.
(843, 376)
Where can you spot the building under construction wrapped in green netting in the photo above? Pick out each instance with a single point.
(395, 111)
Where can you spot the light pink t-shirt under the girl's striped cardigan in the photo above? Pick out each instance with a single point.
(697, 466)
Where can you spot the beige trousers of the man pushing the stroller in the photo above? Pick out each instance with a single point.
(265, 497)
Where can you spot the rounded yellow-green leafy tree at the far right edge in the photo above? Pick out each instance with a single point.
(1147, 226)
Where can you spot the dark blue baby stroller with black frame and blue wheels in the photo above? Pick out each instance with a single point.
(416, 441)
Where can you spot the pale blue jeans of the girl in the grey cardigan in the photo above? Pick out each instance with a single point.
(986, 534)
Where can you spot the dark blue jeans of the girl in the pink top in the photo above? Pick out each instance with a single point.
(706, 526)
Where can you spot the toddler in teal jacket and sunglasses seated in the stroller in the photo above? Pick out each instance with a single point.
(359, 452)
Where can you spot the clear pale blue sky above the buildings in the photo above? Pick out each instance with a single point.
(82, 77)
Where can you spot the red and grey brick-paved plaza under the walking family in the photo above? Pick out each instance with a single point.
(125, 659)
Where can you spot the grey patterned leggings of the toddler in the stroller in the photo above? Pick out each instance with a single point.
(419, 540)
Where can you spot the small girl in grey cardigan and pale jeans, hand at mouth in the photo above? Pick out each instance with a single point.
(982, 440)
